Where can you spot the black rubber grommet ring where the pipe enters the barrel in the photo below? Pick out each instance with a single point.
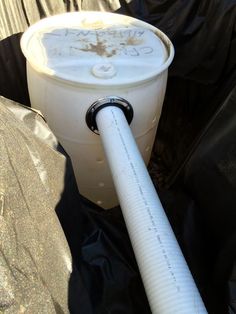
(101, 103)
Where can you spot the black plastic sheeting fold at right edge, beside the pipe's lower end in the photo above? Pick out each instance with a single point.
(210, 178)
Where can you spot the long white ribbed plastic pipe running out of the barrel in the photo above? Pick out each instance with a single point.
(168, 282)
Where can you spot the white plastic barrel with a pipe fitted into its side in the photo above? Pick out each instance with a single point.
(73, 60)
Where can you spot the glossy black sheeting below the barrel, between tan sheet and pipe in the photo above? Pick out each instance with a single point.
(105, 277)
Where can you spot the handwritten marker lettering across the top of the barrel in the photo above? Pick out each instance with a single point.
(105, 43)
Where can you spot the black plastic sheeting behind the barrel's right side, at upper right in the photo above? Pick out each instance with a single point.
(202, 73)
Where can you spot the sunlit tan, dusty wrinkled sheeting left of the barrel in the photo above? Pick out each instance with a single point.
(35, 260)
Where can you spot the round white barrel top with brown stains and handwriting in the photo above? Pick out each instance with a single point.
(95, 48)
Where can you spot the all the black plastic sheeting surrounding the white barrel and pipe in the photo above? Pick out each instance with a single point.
(193, 163)
